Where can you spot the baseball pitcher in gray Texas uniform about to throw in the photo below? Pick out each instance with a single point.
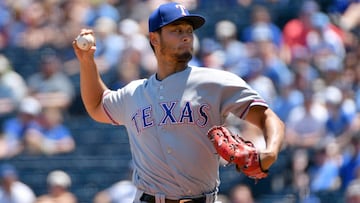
(175, 118)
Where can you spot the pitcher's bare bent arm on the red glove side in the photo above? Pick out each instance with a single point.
(273, 130)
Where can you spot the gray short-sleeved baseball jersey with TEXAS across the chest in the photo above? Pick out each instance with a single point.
(167, 122)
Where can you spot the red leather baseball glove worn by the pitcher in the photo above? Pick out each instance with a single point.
(235, 149)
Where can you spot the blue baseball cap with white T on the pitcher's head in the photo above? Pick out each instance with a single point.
(171, 12)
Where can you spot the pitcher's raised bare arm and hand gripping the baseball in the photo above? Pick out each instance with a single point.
(91, 85)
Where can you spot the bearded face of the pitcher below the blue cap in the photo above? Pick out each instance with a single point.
(176, 41)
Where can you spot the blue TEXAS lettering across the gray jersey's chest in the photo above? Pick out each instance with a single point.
(172, 114)
